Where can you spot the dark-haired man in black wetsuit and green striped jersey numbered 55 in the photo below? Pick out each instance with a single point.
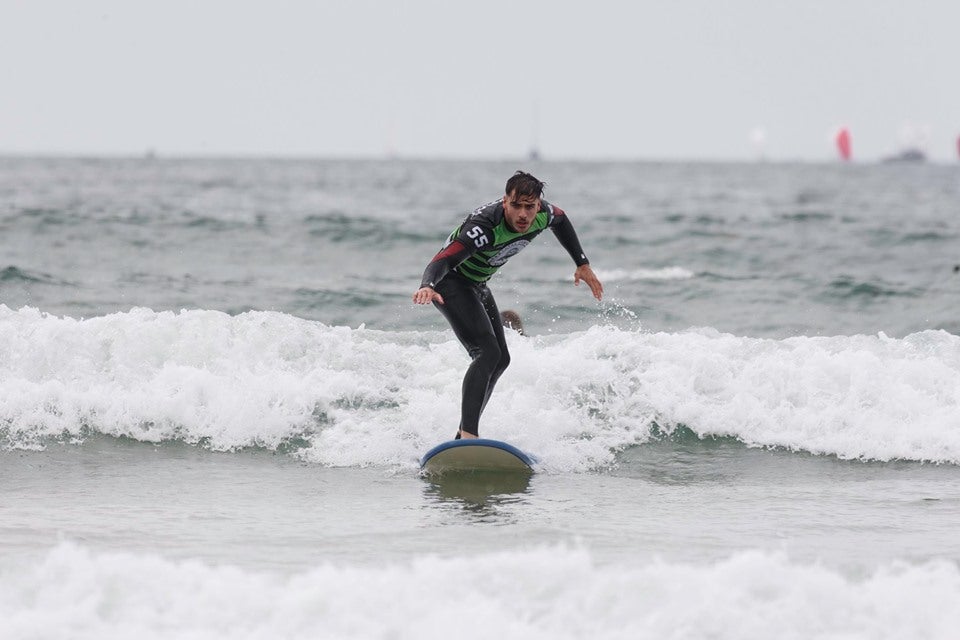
(455, 281)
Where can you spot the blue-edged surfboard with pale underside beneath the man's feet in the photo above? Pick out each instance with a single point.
(476, 454)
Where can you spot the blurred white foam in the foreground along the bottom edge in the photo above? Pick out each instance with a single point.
(537, 593)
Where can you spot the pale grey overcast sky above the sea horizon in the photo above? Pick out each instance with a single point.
(681, 79)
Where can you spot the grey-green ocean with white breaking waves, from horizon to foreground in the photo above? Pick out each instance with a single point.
(214, 392)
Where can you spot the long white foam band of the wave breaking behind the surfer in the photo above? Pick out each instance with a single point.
(362, 397)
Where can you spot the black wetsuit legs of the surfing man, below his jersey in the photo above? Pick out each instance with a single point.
(472, 313)
